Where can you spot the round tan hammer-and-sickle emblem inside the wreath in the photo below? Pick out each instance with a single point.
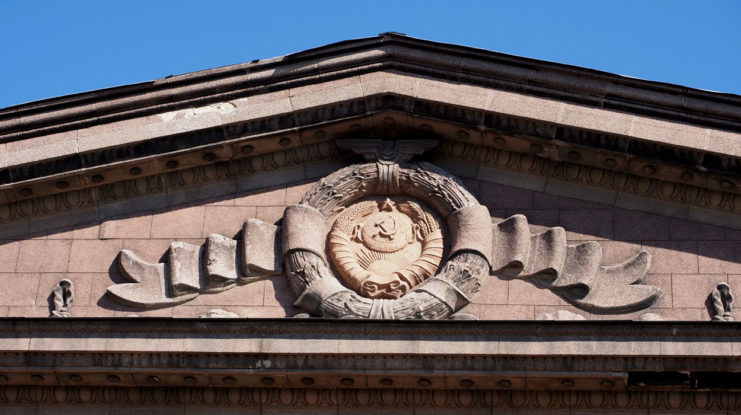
(382, 249)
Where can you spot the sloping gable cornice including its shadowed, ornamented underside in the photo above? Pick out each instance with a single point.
(638, 144)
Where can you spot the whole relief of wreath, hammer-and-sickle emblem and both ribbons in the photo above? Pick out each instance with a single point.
(389, 239)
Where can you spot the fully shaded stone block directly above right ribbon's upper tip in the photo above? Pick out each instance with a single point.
(631, 225)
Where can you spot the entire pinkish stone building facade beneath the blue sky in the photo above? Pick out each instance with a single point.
(384, 224)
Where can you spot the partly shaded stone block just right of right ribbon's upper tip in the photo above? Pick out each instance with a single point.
(672, 257)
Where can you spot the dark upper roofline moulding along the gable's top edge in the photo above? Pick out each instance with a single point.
(386, 52)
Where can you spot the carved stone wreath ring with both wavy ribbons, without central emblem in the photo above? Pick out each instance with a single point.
(574, 272)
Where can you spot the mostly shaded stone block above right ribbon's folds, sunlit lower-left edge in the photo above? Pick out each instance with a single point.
(586, 224)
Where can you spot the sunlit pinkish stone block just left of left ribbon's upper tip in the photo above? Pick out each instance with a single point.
(94, 255)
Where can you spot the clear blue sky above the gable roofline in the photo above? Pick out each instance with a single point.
(52, 48)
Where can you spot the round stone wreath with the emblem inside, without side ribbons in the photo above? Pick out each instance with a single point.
(385, 239)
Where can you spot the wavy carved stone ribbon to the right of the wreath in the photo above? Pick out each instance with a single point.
(572, 271)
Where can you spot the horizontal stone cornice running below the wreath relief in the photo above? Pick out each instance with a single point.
(480, 361)
